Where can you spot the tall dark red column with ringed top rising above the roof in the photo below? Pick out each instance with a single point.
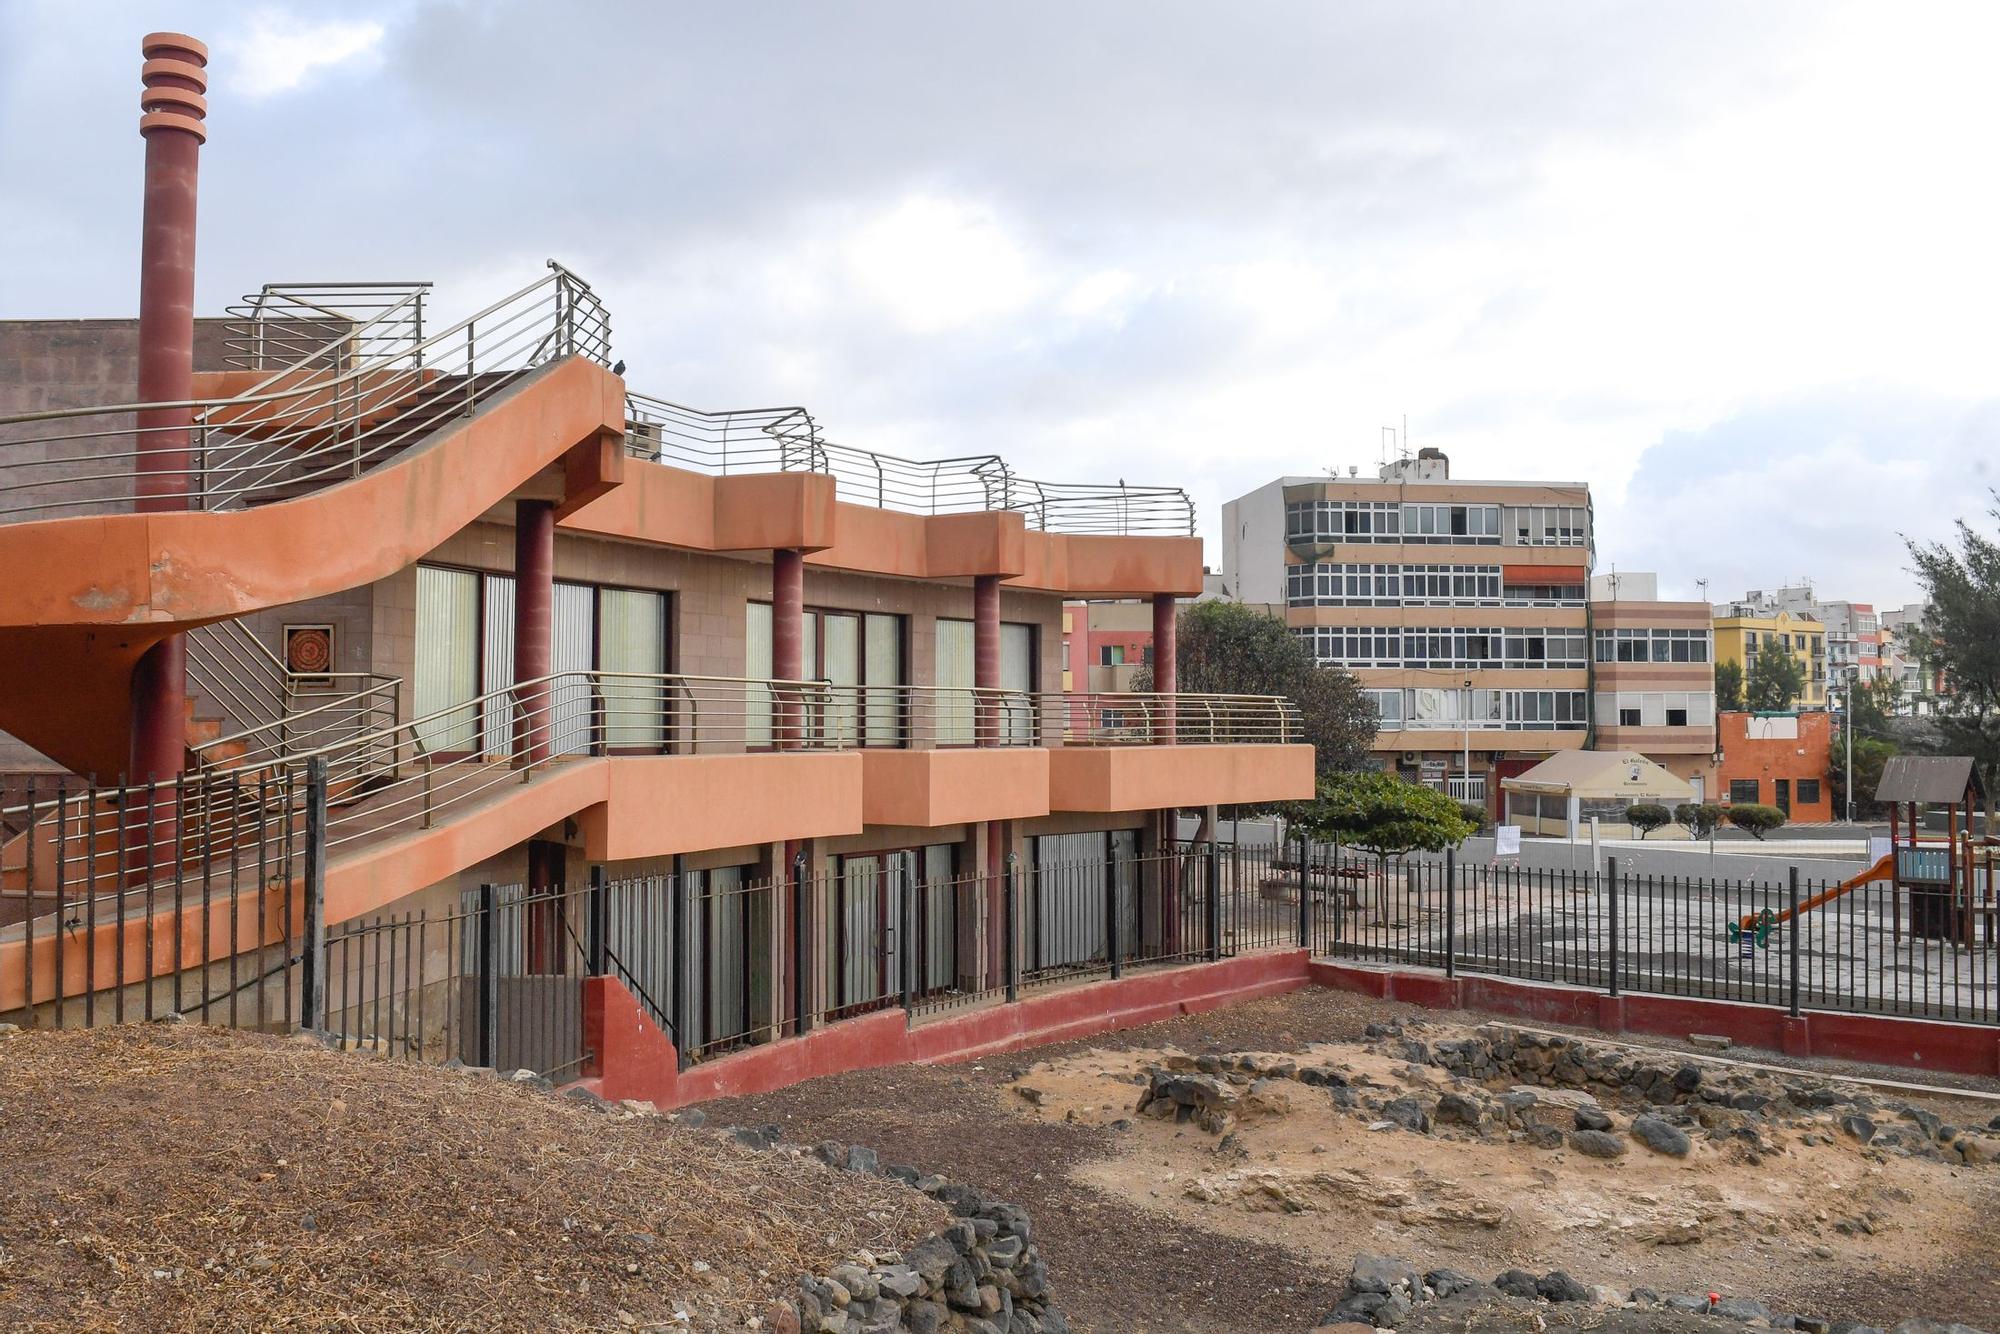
(171, 123)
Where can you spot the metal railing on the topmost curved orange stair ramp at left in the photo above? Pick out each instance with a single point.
(305, 427)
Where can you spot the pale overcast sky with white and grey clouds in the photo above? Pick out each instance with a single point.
(1733, 265)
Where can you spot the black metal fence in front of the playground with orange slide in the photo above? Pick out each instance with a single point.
(1873, 949)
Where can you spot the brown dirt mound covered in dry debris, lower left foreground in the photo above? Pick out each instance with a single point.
(185, 1177)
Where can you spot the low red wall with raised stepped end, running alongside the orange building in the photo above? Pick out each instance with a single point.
(637, 1061)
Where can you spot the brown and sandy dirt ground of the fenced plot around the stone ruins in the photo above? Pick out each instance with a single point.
(1153, 1225)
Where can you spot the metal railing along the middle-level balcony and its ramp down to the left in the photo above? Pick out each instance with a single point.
(427, 769)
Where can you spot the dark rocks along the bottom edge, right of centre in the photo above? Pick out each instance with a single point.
(1383, 1293)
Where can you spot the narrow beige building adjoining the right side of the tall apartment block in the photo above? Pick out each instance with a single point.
(1653, 677)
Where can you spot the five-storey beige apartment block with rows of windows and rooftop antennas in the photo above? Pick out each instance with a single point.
(1459, 605)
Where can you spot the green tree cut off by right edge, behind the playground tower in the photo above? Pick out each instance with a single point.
(1965, 629)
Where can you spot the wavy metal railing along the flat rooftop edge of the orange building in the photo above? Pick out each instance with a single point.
(791, 441)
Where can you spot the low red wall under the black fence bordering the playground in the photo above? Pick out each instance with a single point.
(1879, 1039)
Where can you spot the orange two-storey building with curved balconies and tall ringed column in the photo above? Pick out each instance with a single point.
(495, 619)
